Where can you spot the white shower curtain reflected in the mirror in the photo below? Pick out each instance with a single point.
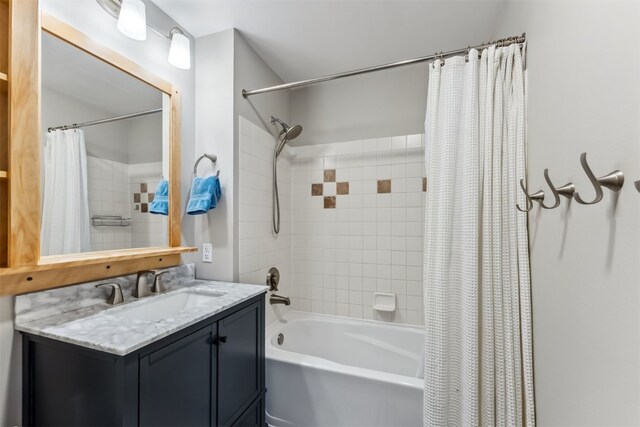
(65, 209)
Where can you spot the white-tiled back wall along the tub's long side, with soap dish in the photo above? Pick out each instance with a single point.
(372, 240)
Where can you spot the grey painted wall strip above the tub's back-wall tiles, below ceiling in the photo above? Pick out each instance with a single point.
(386, 103)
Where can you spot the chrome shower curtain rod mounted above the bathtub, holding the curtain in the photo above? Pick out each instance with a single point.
(499, 43)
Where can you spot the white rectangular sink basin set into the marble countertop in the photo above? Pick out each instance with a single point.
(159, 307)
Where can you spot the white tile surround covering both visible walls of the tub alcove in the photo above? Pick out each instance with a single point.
(339, 243)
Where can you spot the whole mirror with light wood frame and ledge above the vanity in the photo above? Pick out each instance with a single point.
(26, 270)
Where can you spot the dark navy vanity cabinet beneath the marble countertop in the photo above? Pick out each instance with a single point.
(209, 374)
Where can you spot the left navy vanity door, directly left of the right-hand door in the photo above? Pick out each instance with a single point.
(176, 382)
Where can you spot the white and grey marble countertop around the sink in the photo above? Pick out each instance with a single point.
(99, 327)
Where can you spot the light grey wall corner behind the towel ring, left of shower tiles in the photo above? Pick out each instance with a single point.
(226, 64)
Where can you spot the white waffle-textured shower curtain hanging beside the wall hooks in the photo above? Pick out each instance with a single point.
(478, 343)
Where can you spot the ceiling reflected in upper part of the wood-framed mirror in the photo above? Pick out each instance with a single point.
(70, 71)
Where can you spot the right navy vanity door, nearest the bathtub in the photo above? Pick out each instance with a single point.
(240, 362)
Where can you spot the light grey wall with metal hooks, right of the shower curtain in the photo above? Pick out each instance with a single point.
(583, 67)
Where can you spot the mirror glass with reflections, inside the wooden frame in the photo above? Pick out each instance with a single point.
(104, 135)
